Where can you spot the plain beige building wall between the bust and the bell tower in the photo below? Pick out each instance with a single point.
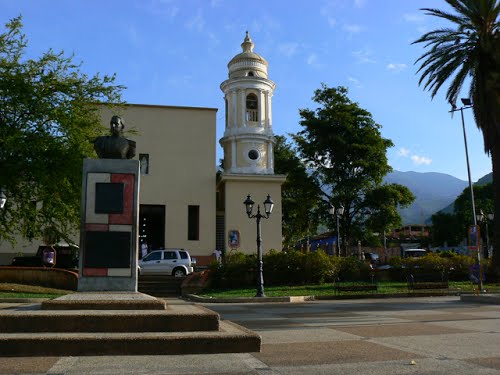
(181, 145)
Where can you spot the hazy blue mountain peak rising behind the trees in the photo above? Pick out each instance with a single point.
(433, 191)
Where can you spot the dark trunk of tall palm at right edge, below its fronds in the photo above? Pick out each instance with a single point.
(495, 159)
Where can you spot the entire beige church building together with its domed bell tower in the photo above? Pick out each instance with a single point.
(182, 202)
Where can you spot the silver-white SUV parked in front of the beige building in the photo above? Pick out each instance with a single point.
(175, 262)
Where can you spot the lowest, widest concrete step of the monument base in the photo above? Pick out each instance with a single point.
(230, 338)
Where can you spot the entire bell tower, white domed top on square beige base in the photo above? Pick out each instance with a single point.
(248, 142)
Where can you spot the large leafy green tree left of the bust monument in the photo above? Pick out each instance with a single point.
(48, 121)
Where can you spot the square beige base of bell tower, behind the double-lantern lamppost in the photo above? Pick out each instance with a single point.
(236, 188)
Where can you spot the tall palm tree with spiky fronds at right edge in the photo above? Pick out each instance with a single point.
(469, 50)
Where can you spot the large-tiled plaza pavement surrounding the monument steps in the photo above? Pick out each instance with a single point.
(427, 335)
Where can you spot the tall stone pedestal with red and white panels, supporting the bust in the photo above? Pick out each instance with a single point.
(109, 223)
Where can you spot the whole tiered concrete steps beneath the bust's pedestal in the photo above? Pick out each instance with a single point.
(62, 328)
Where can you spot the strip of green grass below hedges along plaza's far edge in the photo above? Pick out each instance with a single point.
(384, 287)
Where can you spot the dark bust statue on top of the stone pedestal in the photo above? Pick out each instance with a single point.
(115, 146)
